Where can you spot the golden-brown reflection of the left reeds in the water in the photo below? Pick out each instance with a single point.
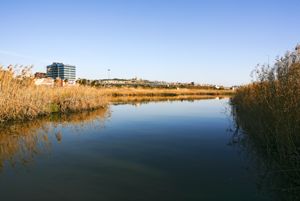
(21, 142)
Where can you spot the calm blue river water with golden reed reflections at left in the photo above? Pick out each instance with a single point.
(156, 151)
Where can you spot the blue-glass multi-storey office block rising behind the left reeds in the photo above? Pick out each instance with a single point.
(62, 71)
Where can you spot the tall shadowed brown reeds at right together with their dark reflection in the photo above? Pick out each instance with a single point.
(268, 112)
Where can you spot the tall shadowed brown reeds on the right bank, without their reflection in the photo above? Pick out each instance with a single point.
(270, 110)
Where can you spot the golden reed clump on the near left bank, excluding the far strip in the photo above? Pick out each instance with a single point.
(21, 100)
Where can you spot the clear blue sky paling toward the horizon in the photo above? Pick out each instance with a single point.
(205, 41)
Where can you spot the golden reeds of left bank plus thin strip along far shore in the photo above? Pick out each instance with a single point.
(21, 100)
